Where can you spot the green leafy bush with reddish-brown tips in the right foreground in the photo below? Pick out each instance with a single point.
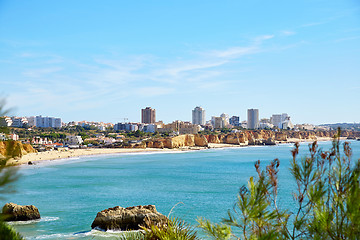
(326, 199)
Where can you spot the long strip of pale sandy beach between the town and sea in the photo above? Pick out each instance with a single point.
(71, 153)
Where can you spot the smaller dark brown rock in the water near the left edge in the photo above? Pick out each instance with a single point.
(14, 212)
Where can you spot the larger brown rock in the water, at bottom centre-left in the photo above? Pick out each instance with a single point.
(130, 218)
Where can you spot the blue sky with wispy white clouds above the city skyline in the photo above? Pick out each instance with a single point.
(105, 60)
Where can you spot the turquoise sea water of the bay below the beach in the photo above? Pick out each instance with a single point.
(69, 193)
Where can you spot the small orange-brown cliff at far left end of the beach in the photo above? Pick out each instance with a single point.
(14, 149)
